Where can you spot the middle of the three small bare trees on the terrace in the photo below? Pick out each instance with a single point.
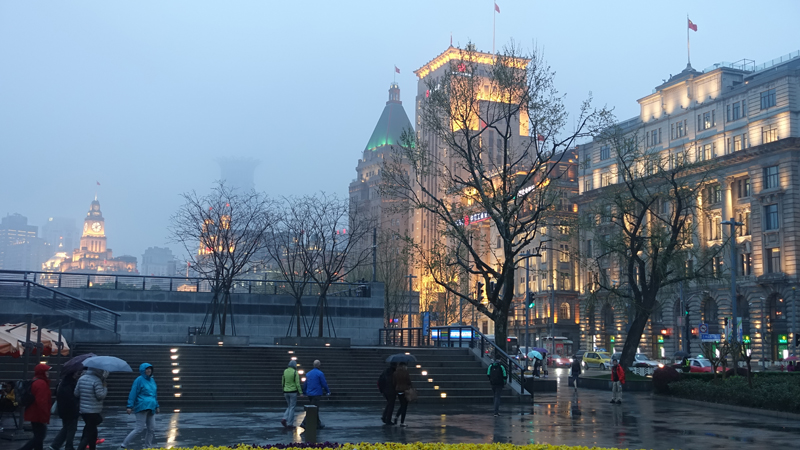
(287, 246)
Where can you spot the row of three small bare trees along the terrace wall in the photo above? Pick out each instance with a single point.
(300, 242)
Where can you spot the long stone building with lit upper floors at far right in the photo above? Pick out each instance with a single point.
(744, 120)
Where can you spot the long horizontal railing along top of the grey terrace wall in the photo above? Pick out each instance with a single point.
(176, 284)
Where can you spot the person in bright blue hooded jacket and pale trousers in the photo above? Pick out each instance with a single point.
(143, 402)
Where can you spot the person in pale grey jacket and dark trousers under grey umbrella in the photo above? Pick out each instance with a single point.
(91, 390)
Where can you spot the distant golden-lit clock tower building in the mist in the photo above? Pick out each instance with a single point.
(93, 254)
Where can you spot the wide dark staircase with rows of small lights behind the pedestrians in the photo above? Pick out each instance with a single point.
(223, 377)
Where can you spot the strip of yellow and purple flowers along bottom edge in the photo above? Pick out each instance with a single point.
(411, 446)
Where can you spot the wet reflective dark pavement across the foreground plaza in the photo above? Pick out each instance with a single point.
(585, 418)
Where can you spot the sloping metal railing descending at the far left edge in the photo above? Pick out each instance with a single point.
(60, 302)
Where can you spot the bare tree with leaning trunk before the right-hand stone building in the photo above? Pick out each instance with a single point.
(644, 230)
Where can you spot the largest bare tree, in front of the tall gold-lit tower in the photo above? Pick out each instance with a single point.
(499, 129)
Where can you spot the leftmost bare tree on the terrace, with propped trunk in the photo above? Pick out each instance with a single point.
(221, 233)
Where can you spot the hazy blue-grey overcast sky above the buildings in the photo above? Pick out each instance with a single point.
(143, 96)
